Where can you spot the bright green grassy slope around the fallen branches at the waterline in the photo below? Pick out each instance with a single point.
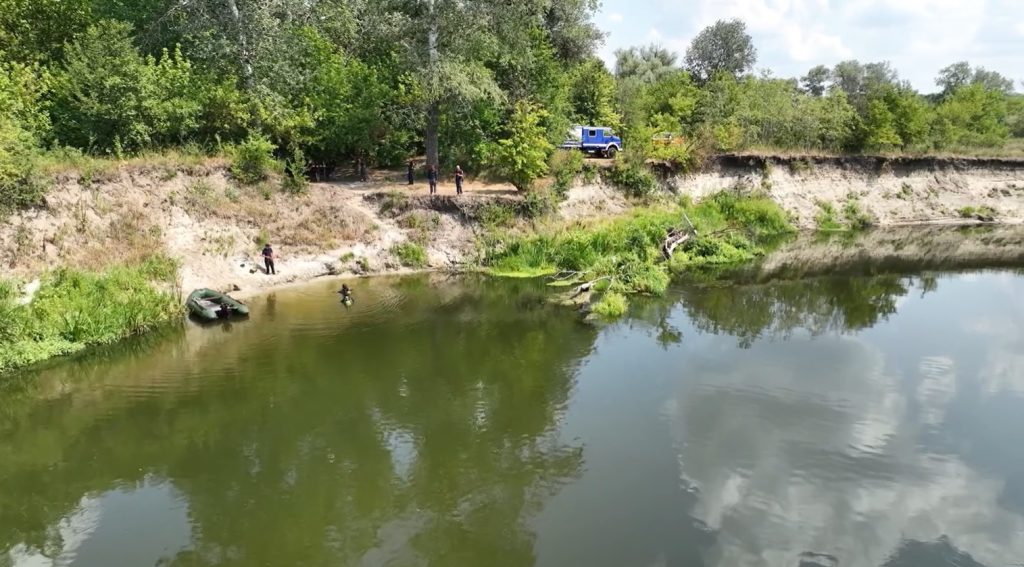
(624, 255)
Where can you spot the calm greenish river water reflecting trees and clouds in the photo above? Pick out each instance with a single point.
(868, 420)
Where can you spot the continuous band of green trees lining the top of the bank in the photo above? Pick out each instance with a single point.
(385, 80)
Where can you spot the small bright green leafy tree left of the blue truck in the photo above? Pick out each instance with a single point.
(523, 156)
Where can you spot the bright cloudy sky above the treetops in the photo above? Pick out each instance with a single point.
(919, 37)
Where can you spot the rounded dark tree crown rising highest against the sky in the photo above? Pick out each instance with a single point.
(724, 48)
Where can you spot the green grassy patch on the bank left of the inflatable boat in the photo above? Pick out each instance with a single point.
(73, 311)
